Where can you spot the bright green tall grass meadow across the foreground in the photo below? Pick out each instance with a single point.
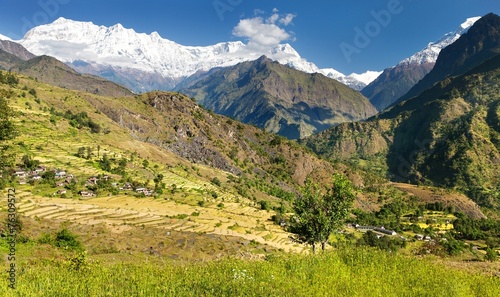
(359, 272)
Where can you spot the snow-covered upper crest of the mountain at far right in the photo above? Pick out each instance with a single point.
(431, 52)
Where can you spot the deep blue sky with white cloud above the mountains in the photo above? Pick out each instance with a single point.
(325, 32)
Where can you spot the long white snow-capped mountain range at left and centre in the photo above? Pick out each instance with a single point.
(147, 61)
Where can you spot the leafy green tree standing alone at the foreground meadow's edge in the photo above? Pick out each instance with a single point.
(319, 213)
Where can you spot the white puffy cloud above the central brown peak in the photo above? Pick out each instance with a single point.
(264, 33)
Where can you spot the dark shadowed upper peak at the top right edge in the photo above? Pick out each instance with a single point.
(481, 42)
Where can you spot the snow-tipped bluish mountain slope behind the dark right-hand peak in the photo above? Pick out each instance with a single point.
(396, 81)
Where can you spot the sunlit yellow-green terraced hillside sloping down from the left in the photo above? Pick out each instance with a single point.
(213, 172)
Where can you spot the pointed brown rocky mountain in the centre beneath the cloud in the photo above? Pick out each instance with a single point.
(280, 99)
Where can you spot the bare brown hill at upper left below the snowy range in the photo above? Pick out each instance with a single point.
(52, 71)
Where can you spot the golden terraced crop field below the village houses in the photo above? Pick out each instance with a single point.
(120, 213)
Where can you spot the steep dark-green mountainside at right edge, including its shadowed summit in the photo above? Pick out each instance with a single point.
(448, 135)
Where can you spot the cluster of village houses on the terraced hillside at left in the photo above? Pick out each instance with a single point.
(62, 179)
